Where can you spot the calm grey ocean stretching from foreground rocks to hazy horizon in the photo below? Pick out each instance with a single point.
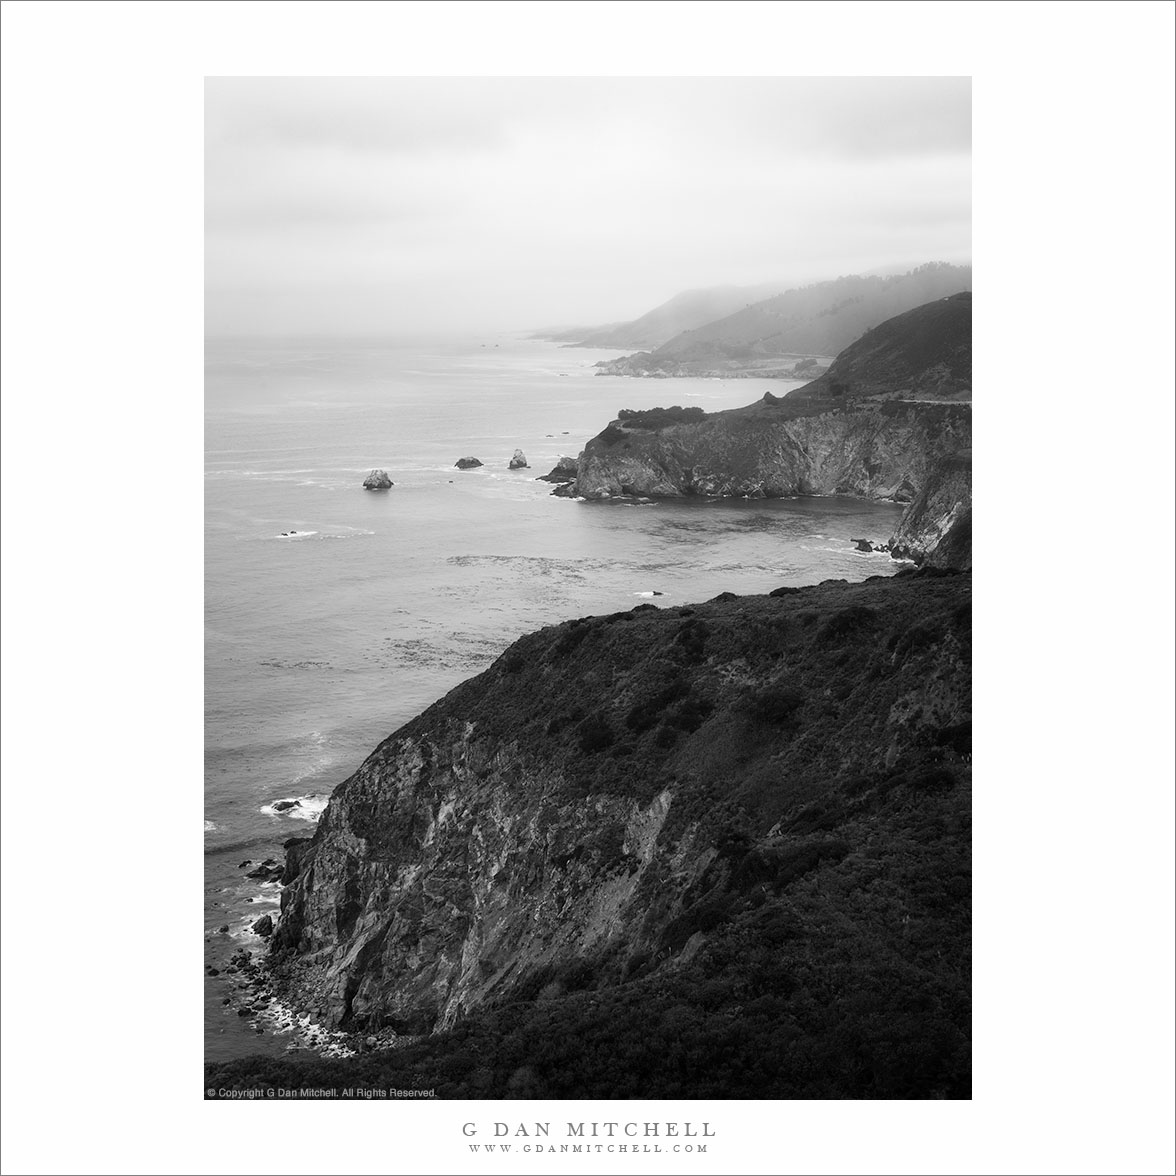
(335, 614)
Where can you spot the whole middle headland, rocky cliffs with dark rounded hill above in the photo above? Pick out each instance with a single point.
(890, 420)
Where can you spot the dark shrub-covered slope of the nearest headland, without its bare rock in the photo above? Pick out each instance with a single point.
(801, 927)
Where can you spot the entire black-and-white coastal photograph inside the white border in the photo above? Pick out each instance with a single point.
(589, 603)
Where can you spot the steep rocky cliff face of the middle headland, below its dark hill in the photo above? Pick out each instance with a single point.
(771, 450)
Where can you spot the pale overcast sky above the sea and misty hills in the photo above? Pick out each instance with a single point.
(419, 204)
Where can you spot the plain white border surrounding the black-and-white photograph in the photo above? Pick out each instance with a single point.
(103, 571)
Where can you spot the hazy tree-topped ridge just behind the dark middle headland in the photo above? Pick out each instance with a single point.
(818, 320)
